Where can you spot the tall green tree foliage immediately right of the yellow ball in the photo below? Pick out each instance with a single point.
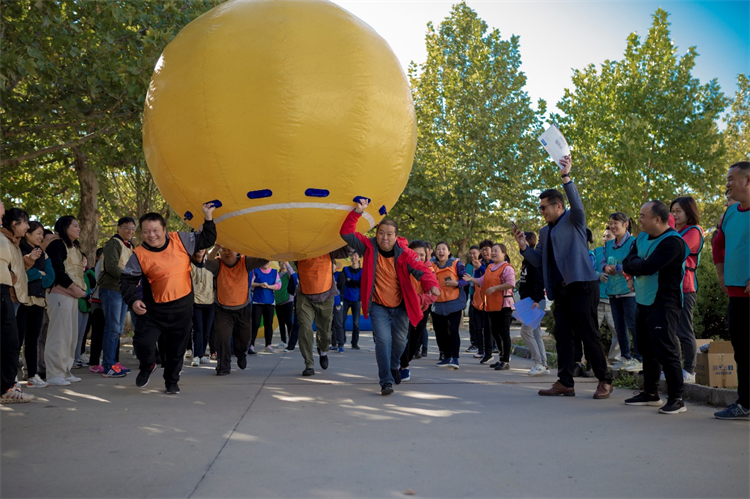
(476, 130)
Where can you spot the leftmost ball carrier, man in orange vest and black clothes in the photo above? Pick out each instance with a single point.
(162, 265)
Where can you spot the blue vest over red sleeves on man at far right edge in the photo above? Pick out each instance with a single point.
(736, 228)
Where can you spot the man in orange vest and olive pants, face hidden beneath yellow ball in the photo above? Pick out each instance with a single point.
(317, 291)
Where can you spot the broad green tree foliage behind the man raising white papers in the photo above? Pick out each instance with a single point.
(643, 127)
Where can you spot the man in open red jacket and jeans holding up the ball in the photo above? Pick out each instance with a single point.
(387, 294)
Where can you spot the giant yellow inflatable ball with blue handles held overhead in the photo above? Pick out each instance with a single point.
(284, 111)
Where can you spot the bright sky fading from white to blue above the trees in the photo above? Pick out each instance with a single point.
(576, 33)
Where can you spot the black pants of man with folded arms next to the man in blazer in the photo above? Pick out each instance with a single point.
(656, 334)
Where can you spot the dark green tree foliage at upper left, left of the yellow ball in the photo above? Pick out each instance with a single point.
(75, 75)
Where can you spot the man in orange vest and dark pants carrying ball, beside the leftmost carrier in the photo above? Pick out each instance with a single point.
(232, 322)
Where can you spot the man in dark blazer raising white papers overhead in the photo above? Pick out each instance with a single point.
(570, 281)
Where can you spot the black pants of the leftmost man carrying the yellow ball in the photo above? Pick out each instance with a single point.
(172, 331)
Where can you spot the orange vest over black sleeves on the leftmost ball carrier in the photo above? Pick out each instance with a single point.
(167, 271)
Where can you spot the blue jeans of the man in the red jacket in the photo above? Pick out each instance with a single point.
(389, 329)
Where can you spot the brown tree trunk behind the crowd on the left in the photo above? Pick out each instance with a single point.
(88, 215)
